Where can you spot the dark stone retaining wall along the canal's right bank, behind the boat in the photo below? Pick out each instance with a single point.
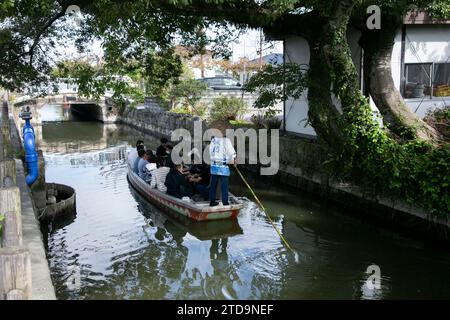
(301, 167)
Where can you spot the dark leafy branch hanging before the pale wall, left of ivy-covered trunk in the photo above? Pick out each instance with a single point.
(268, 84)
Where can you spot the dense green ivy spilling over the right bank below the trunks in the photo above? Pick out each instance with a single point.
(415, 171)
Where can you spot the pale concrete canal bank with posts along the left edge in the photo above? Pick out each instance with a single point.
(24, 270)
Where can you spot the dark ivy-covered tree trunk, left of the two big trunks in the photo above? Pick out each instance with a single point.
(332, 70)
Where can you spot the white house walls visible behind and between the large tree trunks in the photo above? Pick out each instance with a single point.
(424, 43)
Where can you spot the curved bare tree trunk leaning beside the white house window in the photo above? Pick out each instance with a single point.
(397, 116)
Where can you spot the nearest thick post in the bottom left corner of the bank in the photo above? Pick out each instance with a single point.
(15, 273)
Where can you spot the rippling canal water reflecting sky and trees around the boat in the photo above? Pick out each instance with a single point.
(118, 246)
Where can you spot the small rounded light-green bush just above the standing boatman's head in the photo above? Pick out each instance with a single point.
(227, 108)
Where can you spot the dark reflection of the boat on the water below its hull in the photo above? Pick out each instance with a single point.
(175, 223)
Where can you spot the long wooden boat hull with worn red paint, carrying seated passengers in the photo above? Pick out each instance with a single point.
(198, 211)
